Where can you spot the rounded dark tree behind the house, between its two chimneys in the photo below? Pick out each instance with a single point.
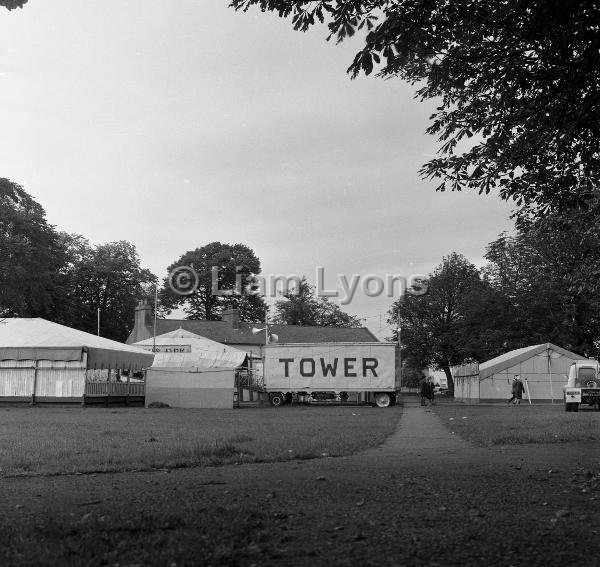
(220, 278)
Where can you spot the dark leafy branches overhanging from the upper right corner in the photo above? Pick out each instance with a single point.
(517, 85)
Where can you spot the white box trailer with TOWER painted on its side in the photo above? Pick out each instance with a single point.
(331, 372)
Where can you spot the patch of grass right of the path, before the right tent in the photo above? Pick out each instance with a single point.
(488, 425)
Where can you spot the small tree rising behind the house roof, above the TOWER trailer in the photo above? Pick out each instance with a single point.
(301, 306)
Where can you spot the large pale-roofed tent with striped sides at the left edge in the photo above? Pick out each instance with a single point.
(45, 361)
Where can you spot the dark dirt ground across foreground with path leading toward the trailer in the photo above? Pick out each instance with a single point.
(425, 497)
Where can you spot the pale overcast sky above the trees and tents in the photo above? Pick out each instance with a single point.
(172, 124)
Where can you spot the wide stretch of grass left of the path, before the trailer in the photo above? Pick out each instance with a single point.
(58, 440)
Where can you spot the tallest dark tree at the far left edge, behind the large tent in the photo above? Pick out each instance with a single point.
(30, 255)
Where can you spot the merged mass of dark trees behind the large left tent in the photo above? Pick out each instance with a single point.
(61, 277)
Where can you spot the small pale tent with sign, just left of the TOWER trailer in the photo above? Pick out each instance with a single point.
(201, 375)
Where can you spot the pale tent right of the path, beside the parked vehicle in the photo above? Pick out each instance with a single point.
(543, 369)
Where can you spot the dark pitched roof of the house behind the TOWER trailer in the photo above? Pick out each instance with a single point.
(224, 332)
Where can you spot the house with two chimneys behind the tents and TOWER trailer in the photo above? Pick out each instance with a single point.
(233, 332)
